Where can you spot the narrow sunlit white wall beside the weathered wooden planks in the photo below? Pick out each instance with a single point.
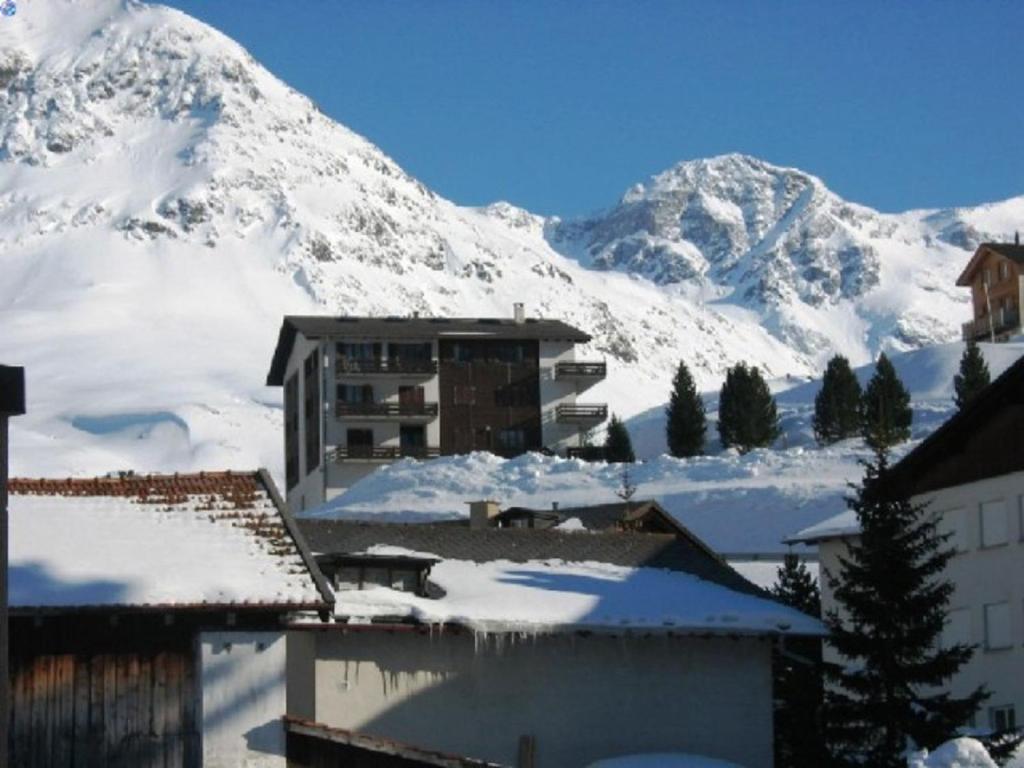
(244, 698)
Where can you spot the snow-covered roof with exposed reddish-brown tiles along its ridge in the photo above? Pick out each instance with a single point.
(201, 541)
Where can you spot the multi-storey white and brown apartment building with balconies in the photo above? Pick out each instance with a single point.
(364, 392)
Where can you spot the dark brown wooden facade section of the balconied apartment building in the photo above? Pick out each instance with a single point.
(491, 397)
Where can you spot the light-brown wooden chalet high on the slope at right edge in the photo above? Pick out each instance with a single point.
(996, 276)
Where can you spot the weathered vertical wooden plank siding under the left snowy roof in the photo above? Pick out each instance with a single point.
(120, 710)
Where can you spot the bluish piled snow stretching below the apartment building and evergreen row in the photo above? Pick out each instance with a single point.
(738, 504)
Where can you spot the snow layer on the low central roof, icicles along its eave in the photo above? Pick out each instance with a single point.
(537, 596)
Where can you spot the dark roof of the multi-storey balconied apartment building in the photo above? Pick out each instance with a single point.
(314, 327)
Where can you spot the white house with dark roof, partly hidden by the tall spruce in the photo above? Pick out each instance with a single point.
(971, 474)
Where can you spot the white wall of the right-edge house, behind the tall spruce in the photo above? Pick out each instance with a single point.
(987, 520)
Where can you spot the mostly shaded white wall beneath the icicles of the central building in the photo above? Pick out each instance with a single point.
(580, 698)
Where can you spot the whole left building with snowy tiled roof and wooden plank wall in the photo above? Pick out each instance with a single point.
(148, 618)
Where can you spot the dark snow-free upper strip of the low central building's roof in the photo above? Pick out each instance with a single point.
(523, 545)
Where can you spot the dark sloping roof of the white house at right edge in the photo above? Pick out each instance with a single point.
(985, 440)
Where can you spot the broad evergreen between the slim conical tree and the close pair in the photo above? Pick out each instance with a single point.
(747, 415)
